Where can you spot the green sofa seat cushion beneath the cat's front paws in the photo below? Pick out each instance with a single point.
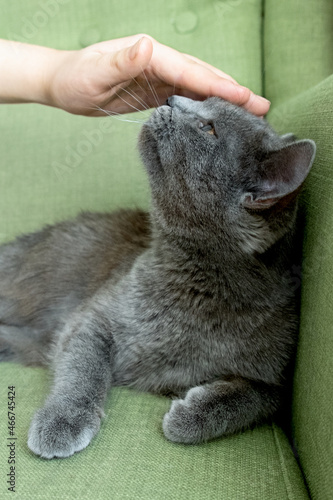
(131, 460)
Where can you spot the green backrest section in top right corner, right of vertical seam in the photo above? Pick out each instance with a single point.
(297, 46)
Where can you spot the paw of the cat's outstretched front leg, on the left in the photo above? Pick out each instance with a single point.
(57, 431)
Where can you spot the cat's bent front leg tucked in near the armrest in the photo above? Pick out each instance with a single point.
(220, 408)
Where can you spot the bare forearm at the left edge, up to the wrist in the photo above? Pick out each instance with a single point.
(25, 72)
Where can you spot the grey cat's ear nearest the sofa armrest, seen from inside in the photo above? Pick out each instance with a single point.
(282, 173)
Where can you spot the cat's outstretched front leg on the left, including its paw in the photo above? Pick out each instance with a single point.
(72, 412)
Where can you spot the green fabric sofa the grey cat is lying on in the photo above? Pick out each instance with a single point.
(52, 165)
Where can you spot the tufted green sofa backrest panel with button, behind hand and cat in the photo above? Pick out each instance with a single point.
(60, 163)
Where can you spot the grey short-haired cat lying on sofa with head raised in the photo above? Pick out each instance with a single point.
(194, 298)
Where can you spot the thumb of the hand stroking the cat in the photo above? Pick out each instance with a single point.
(128, 62)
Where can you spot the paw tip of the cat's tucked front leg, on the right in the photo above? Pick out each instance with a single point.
(185, 421)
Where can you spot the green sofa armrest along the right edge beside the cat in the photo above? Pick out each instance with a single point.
(311, 115)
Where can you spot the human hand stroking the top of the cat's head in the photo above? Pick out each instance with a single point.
(134, 73)
